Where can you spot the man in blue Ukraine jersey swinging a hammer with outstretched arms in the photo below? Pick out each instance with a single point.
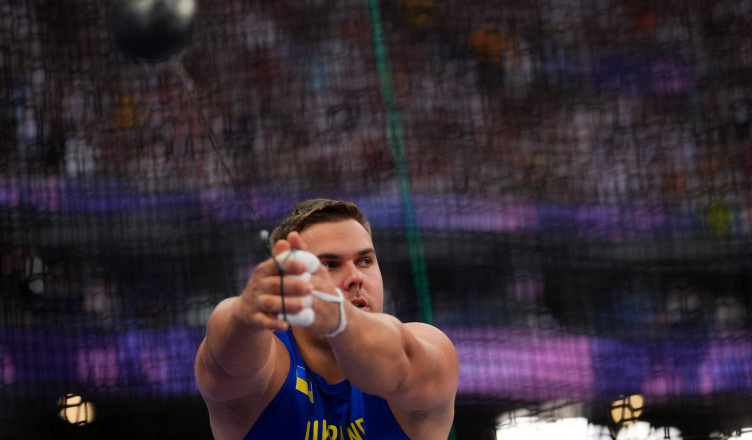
(352, 373)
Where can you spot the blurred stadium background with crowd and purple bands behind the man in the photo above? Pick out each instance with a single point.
(563, 186)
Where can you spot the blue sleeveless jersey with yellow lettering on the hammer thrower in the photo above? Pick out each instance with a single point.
(308, 408)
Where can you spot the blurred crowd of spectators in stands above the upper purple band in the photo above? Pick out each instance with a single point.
(575, 102)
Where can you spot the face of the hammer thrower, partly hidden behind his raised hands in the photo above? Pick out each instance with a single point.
(346, 250)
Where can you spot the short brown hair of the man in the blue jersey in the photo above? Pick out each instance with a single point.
(313, 211)
